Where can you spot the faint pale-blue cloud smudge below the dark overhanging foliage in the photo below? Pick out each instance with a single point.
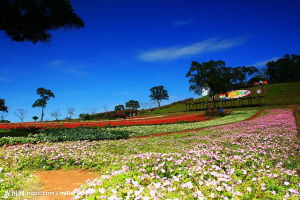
(67, 68)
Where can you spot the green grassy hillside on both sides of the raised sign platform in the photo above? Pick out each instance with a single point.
(274, 94)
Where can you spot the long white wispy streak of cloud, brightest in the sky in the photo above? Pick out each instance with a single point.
(202, 47)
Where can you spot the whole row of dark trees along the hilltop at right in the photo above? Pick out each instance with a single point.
(215, 77)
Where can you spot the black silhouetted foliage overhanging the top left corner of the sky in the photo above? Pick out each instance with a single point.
(33, 19)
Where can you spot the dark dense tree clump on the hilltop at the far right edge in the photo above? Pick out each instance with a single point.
(286, 69)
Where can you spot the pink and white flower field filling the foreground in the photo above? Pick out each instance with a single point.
(256, 159)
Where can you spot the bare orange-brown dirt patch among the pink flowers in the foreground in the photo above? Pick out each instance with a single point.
(62, 182)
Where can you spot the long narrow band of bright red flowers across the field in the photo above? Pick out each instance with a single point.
(170, 119)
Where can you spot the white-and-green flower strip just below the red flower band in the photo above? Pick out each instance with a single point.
(112, 133)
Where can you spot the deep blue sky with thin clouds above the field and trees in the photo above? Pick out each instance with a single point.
(127, 47)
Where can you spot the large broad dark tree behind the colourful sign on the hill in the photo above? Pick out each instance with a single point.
(215, 77)
